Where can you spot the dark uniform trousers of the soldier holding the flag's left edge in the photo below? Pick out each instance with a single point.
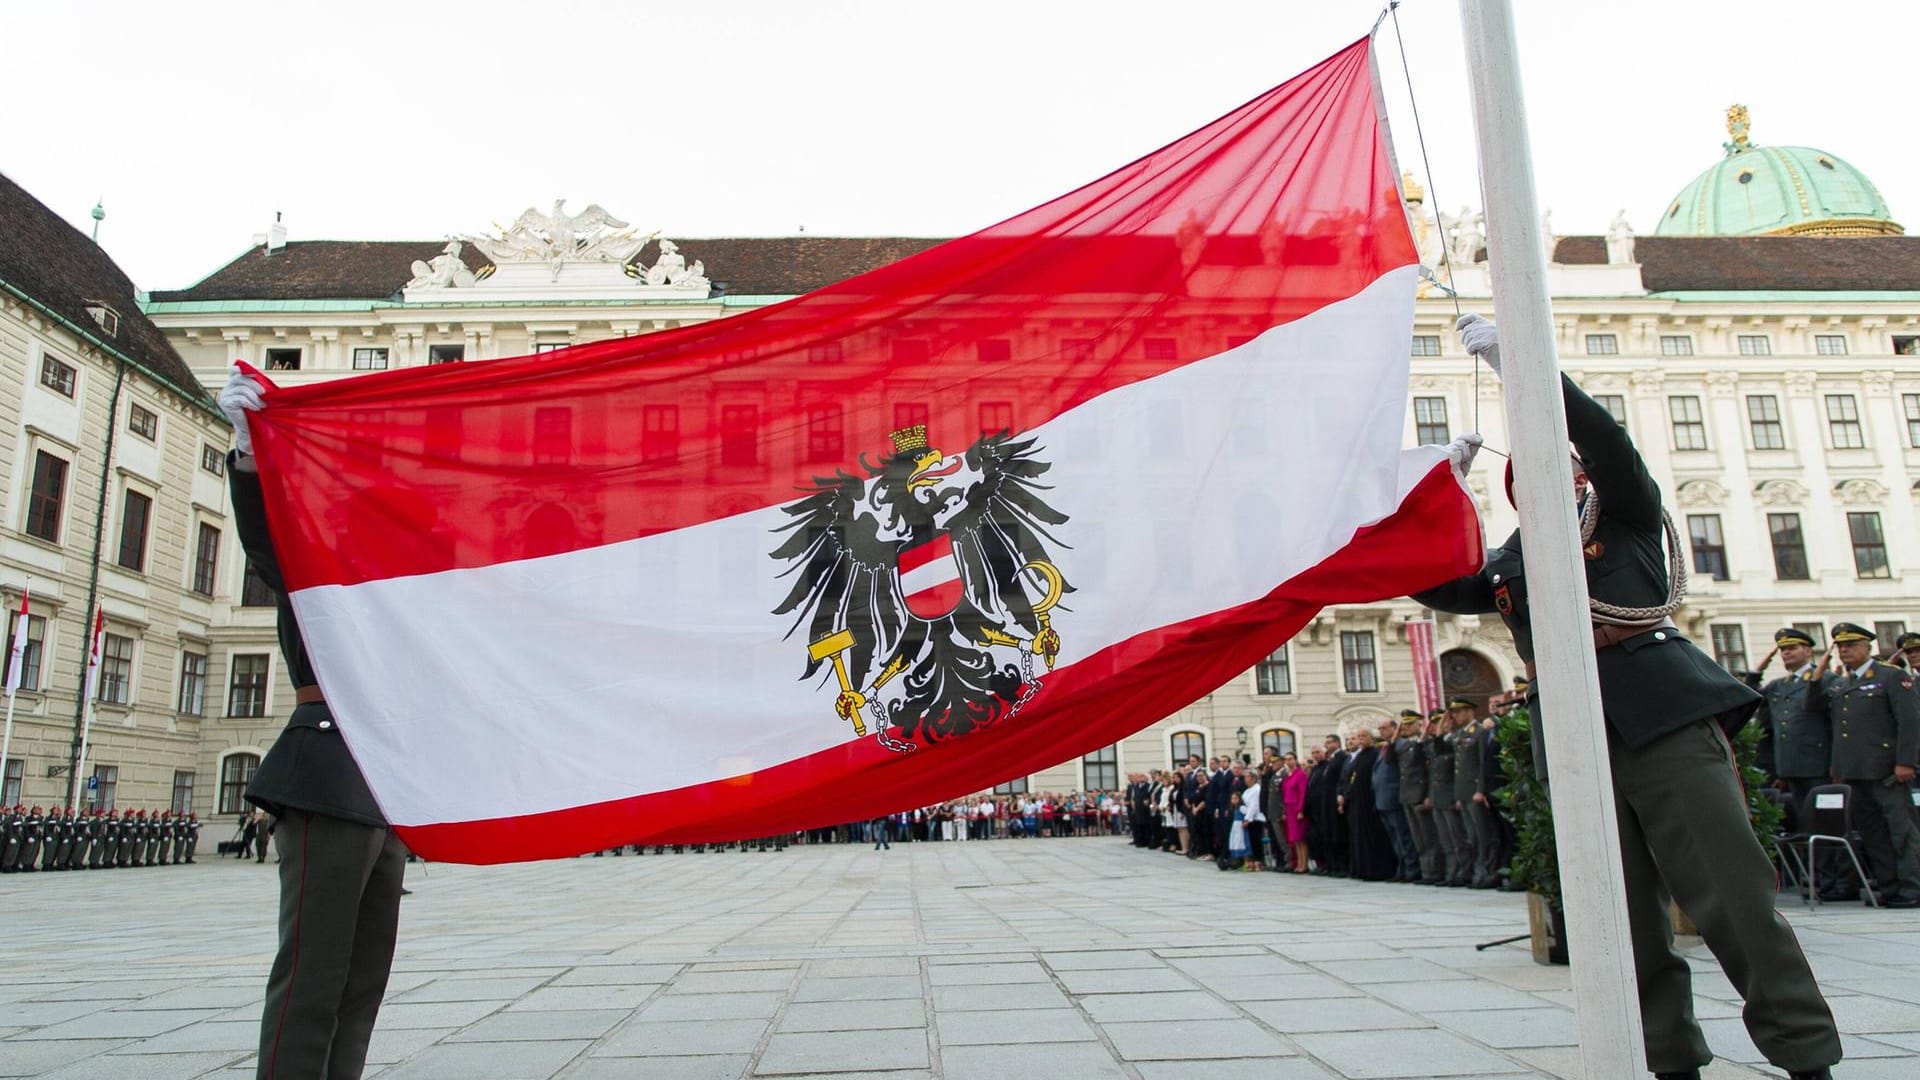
(339, 920)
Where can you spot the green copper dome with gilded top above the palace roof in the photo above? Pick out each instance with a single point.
(1777, 191)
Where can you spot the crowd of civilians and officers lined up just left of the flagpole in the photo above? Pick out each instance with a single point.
(1412, 800)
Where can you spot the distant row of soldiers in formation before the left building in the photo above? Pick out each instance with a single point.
(95, 841)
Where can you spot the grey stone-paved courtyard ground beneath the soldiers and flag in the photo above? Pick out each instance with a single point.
(1051, 960)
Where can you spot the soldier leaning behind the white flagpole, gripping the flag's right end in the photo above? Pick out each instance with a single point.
(1681, 810)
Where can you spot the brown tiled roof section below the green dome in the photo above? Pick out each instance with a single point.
(1764, 264)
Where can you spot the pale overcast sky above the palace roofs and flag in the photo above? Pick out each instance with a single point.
(754, 118)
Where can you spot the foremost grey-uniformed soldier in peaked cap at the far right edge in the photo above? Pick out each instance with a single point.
(1877, 745)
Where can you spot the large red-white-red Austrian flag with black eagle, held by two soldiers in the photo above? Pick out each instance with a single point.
(932, 528)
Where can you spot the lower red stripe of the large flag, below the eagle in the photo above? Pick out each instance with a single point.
(1431, 539)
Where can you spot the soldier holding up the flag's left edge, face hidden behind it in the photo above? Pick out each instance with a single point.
(341, 866)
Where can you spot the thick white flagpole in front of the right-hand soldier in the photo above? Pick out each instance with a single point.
(1587, 833)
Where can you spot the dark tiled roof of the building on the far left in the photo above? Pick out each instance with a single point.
(62, 270)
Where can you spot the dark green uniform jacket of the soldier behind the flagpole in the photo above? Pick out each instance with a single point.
(1654, 683)
